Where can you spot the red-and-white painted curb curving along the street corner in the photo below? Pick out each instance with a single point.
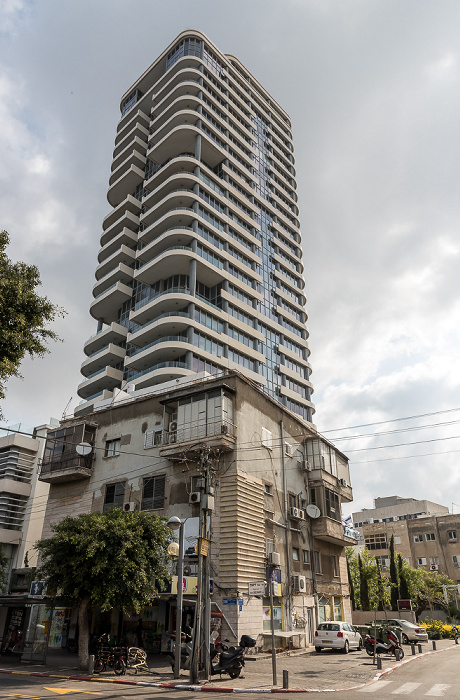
(224, 689)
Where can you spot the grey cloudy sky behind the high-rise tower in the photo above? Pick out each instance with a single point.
(372, 87)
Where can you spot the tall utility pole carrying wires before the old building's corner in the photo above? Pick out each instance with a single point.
(200, 661)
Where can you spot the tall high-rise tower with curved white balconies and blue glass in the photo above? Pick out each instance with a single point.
(200, 261)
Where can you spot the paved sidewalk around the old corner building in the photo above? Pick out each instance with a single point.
(307, 670)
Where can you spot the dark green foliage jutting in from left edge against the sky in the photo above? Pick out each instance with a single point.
(24, 315)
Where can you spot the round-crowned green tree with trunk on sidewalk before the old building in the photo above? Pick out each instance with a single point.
(109, 560)
